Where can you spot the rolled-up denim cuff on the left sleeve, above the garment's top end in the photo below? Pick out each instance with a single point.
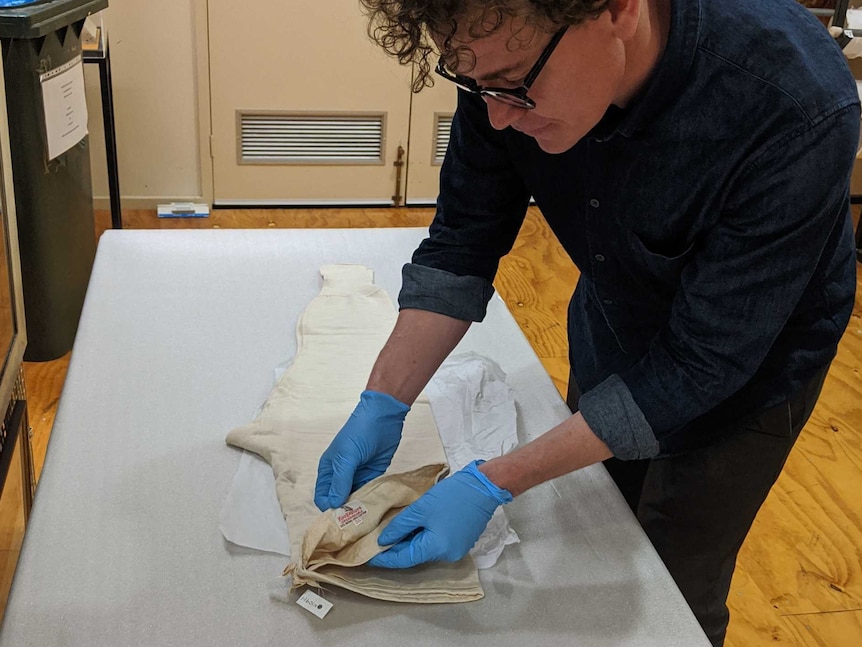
(428, 288)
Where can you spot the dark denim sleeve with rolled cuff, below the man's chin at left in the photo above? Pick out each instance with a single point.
(480, 208)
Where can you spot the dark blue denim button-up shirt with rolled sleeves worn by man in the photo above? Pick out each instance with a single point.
(710, 221)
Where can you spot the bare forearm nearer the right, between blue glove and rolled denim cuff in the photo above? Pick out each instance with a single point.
(567, 447)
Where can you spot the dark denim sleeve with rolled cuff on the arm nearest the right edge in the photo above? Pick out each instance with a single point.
(738, 292)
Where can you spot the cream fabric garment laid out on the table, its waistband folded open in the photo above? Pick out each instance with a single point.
(339, 336)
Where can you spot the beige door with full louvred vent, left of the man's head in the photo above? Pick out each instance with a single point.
(305, 108)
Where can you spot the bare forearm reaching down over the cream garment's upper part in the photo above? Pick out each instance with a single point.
(419, 343)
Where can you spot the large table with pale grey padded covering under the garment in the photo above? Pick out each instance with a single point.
(177, 343)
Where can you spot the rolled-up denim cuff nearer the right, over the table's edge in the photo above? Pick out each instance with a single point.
(613, 415)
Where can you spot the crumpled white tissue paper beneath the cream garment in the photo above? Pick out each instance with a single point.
(475, 414)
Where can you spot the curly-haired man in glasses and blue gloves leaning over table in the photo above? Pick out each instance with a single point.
(693, 158)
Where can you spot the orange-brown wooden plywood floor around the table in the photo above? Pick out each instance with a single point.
(799, 575)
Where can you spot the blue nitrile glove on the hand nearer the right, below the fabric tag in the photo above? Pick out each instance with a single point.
(444, 523)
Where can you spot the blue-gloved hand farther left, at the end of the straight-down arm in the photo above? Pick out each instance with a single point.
(362, 450)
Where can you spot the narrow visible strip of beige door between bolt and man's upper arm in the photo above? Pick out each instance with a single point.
(431, 116)
